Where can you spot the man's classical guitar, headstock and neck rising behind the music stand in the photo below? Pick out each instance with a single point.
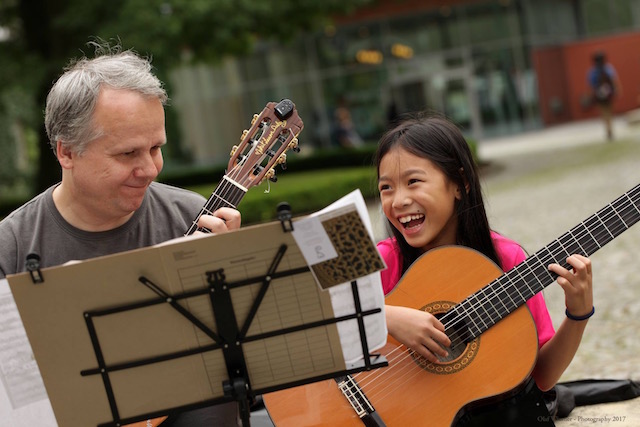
(262, 147)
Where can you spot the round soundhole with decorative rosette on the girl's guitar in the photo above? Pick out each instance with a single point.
(462, 350)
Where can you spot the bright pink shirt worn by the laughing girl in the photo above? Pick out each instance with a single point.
(510, 254)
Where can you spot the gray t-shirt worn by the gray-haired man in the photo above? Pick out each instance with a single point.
(166, 213)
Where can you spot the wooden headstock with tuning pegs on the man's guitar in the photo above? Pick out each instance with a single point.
(274, 131)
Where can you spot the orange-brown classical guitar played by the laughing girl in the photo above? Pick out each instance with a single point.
(494, 339)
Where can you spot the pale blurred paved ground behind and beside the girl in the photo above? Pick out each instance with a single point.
(539, 185)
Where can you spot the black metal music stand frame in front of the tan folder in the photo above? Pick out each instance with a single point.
(229, 338)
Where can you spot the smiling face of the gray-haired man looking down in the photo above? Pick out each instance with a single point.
(109, 179)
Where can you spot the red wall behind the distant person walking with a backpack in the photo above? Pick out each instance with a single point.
(562, 76)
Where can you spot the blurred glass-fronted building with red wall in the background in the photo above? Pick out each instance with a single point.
(495, 67)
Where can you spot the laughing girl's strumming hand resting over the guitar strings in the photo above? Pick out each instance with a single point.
(418, 330)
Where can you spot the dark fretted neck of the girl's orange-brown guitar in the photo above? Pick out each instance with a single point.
(508, 292)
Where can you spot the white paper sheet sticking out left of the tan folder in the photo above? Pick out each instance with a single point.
(23, 398)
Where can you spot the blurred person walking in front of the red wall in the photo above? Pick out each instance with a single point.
(604, 84)
